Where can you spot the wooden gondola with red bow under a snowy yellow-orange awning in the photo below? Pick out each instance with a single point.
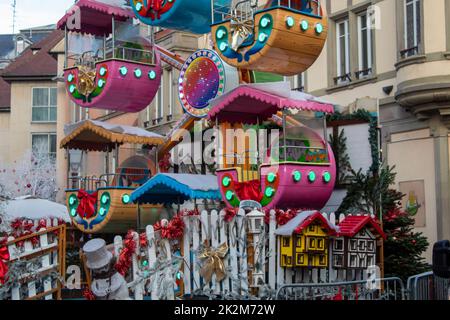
(102, 204)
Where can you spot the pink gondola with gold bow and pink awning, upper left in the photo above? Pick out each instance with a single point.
(109, 64)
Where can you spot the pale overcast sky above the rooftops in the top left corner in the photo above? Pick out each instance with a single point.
(31, 13)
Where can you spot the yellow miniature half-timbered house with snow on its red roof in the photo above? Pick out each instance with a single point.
(304, 241)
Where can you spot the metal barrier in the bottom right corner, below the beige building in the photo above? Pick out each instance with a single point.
(427, 286)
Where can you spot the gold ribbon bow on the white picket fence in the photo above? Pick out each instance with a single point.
(213, 263)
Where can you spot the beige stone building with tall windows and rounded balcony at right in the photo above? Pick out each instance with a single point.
(397, 51)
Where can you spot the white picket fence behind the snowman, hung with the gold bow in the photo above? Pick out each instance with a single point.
(210, 228)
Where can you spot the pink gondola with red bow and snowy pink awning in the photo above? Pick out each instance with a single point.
(298, 172)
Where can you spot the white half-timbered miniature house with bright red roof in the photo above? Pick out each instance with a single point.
(355, 247)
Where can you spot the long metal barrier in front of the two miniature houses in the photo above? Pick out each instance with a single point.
(379, 289)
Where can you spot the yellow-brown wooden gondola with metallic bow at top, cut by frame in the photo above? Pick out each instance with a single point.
(277, 36)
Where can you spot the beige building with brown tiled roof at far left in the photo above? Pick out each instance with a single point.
(28, 112)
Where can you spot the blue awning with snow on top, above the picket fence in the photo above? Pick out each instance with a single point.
(170, 188)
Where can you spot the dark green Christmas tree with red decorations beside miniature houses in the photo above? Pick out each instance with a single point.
(404, 247)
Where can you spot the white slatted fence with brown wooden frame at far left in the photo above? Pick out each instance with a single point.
(48, 255)
